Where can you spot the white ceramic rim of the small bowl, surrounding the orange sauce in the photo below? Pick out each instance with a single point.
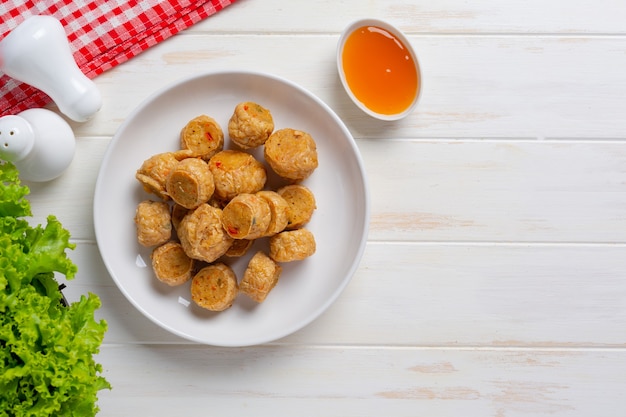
(349, 30)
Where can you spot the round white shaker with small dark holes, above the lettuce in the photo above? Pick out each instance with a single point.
(39, 142)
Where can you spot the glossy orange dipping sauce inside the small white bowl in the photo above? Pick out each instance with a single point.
(380, 70)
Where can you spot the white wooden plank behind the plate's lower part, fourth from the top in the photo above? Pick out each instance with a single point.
(436, 295)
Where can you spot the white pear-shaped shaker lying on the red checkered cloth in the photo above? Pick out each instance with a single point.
(37, 52)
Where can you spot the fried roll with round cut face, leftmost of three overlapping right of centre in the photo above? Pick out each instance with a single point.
(246, 216)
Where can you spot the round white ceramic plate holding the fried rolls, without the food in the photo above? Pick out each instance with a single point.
(305, 288)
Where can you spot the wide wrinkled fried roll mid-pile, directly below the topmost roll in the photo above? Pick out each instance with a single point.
(236, 172)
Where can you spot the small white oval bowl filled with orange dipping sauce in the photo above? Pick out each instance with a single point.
(401, 98)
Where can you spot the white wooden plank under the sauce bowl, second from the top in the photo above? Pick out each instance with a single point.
(474, 87)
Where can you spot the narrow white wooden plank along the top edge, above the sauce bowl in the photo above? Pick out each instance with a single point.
(446, 16)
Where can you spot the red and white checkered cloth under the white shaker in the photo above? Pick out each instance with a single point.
(101, 33)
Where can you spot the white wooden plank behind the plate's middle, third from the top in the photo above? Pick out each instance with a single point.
(435, 190)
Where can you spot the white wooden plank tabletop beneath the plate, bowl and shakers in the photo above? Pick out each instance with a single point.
(494, 278)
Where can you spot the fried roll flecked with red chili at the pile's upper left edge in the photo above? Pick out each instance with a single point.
(203, 136)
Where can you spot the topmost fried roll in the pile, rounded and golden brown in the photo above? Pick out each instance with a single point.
(250, 125)
